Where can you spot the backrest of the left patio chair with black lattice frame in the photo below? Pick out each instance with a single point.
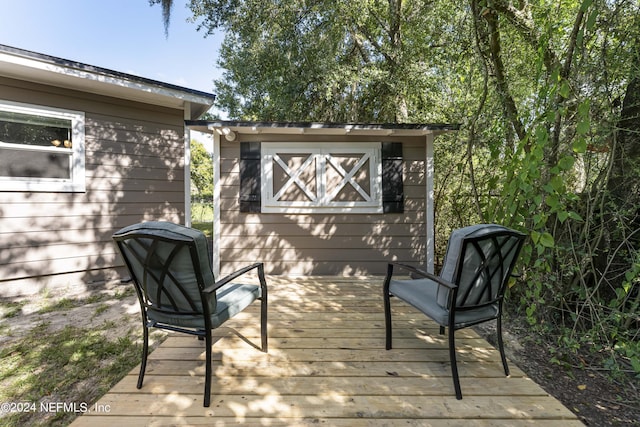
(170, 266)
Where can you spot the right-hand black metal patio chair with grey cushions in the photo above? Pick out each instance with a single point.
(469, 290)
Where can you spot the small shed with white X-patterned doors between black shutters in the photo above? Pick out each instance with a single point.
(322, 198)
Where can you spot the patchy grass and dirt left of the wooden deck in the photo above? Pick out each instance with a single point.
(73, 364)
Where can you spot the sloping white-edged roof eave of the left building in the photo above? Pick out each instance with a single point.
(40, 68)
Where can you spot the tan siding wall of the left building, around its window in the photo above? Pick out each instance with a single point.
(134, 171)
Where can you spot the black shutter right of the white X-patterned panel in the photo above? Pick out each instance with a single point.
(392, 182)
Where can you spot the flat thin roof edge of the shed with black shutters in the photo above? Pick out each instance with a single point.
(321, 128)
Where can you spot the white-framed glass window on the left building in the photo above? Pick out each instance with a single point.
(42, 149)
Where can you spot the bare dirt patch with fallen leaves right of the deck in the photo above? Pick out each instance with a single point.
(588, 392)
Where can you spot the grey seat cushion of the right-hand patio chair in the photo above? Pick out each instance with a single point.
(423, 294)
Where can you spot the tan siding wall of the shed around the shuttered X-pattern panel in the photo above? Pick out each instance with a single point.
(322, 244)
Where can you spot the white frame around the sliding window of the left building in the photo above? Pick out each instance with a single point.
(76, 180)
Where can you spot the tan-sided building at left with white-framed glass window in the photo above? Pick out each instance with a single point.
(84, 151)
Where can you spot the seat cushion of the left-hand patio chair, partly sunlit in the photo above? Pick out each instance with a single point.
(232, 299)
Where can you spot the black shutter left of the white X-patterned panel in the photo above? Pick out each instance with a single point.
(250, 177)
